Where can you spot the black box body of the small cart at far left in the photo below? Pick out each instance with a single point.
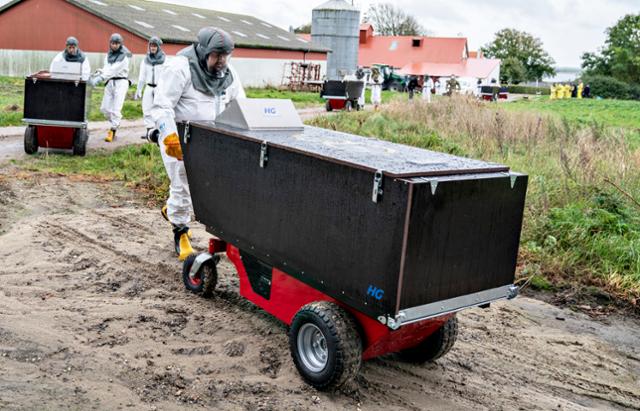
(55, 100)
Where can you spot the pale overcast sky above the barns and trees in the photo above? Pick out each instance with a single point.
(567, 27)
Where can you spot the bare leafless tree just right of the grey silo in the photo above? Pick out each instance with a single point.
(388, 20)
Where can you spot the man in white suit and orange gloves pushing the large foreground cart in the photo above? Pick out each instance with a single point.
(196, 85)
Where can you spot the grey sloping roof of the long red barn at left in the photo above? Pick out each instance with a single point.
(180, 24)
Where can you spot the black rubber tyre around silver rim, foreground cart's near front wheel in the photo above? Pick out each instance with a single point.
(343, 342)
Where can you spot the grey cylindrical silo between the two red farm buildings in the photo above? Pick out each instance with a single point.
(336, 25)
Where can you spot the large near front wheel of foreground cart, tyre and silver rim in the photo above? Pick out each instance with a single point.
(325, 345)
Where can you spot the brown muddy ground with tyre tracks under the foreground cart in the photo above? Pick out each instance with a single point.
(93, 315)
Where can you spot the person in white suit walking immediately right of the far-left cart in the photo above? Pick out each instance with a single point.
(115, 72)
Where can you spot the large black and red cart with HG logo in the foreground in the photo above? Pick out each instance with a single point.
(361, 246)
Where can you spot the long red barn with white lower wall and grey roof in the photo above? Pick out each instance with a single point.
(33, 31)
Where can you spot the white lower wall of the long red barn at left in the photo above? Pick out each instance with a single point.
(253, 72)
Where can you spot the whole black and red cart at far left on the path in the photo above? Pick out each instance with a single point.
(55, 111)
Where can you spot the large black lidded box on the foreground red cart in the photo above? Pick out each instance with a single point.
(435, 227)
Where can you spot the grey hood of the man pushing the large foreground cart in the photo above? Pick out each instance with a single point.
(210, 40)
